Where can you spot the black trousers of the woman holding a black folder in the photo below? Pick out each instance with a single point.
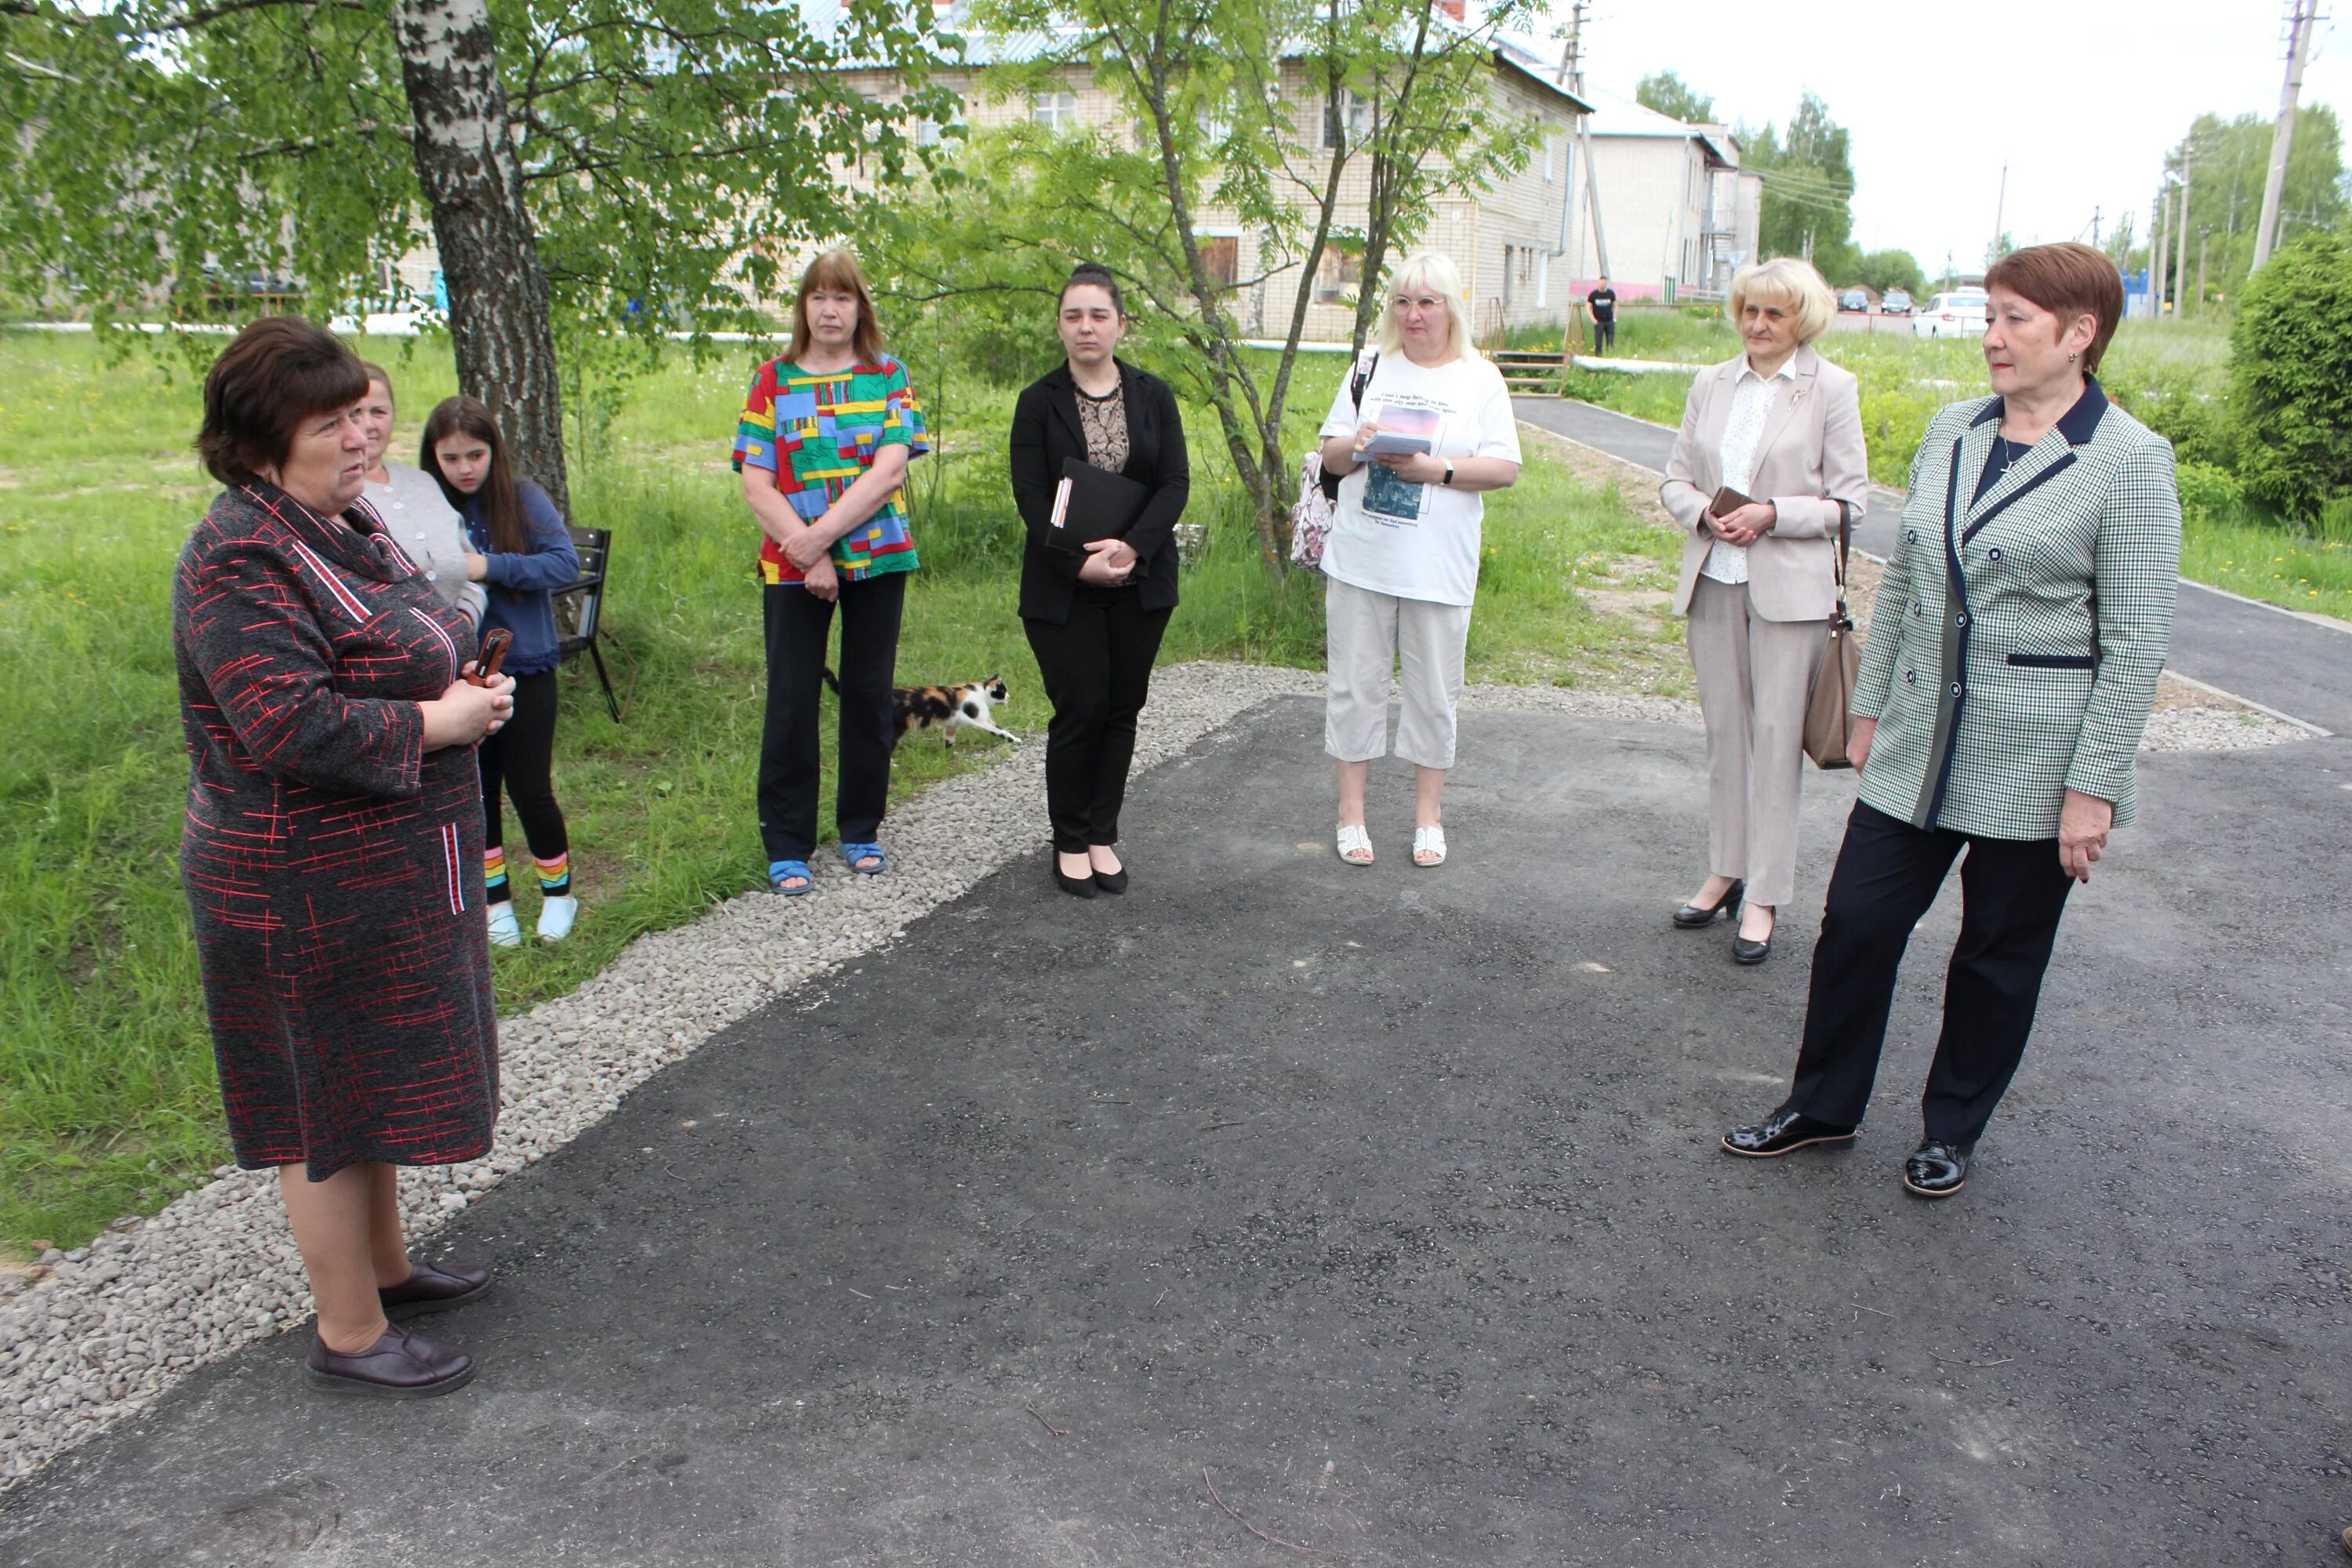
(1097, 674)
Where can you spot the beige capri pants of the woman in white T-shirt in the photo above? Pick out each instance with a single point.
(1372, 634)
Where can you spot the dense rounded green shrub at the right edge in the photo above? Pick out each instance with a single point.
(2292, 363)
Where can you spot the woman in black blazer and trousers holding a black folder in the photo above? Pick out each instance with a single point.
(1095, 619)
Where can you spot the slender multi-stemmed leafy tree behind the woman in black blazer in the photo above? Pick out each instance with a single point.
(1238, 114)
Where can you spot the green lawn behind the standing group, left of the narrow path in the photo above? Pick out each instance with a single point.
(107, 1092)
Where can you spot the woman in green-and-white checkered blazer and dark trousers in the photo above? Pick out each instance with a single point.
(2007, 678)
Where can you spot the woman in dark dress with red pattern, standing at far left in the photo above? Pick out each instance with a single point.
(333, 845)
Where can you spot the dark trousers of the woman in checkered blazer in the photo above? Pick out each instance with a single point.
(1887, 876)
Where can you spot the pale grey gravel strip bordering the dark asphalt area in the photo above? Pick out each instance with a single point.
(116, 1325)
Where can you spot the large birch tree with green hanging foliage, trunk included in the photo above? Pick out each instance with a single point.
(587, 168)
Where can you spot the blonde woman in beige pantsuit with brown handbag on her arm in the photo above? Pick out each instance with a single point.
(1782, 429)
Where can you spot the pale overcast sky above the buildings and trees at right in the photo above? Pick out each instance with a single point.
(2078, 98)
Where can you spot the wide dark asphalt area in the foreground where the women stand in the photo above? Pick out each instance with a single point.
(1389, 1207)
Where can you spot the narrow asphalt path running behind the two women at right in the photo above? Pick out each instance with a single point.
(2297, 666)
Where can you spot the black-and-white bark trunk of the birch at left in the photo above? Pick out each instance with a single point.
(500, 321)
